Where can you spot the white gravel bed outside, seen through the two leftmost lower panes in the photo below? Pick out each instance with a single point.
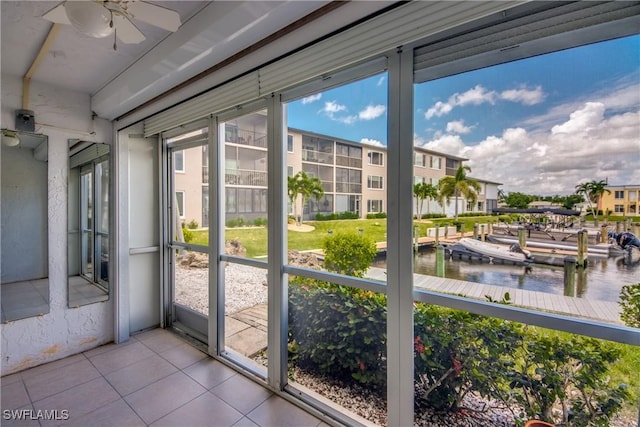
(244, 287)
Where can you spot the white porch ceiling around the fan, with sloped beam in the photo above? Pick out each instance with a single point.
(211, 32)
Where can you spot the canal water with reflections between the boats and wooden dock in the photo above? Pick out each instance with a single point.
(602, 280)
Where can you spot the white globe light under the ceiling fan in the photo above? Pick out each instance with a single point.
(90, 18)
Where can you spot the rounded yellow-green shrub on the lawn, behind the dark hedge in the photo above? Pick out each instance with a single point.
(348, 253)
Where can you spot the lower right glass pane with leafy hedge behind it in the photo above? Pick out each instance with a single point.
(477, 370)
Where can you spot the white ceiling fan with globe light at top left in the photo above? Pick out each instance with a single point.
(101, 18)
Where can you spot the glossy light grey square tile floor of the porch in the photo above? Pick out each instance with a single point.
(155, 379)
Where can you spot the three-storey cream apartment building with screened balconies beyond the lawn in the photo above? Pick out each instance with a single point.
(353, 175)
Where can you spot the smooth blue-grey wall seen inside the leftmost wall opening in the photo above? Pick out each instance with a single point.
(24, 216)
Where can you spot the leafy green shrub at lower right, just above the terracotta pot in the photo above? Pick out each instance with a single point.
(569, 373)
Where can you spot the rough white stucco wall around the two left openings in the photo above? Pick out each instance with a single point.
(63, 331)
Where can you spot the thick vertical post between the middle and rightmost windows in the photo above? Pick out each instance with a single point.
(400, 388)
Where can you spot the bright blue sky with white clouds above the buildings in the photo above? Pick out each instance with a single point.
(539, 126)
